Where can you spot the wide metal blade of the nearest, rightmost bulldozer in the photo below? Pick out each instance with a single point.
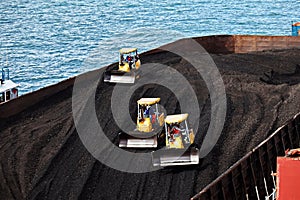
(174, 157)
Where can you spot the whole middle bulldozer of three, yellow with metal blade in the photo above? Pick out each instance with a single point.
(149, 123)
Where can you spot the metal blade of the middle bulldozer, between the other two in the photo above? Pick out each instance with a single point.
(128, 141)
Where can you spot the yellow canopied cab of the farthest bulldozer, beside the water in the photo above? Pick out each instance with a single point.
(129, 59)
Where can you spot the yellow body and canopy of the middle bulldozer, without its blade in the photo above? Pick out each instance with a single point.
(148, 114)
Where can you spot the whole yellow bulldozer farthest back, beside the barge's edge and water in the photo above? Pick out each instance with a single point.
(129, 63)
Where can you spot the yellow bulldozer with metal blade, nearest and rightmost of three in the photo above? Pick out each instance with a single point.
(179, 149)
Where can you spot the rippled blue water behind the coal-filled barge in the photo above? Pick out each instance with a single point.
(45, 42)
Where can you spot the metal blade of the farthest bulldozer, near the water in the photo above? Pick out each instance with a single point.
(119, 77)
